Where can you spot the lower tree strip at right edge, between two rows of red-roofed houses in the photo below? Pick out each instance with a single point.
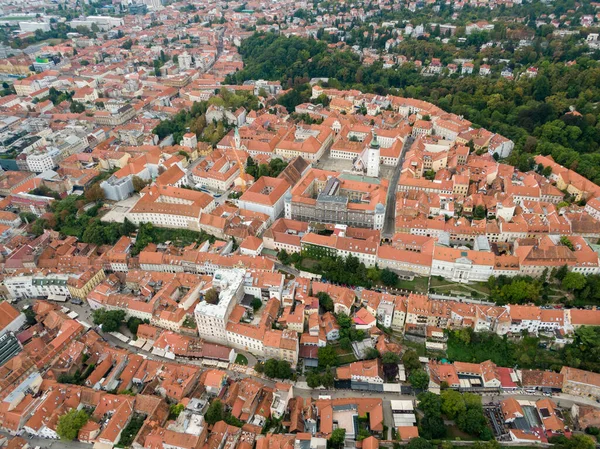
(528, 352)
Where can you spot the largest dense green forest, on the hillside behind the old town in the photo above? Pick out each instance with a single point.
(533, 112)
